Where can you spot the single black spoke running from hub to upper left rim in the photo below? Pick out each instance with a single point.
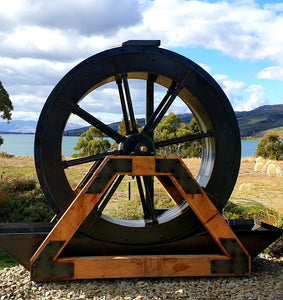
(98, 124)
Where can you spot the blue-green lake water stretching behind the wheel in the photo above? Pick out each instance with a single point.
(22, 145)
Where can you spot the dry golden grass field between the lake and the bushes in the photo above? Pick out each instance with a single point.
(264, 189)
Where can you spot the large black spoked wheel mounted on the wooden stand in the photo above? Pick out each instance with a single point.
(181, 78)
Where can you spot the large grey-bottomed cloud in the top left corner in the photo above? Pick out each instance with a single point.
(86, 17)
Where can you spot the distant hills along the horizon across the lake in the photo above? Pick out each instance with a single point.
(253, 123)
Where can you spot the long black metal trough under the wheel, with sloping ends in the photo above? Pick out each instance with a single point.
(21, 240)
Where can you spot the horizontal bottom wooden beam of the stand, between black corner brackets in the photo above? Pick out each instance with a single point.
(142, 266)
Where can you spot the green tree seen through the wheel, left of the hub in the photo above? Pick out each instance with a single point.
(91, 142)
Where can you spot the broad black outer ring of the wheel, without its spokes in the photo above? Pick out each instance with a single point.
(208, 100)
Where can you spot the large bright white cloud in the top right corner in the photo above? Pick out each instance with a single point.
(239, 28)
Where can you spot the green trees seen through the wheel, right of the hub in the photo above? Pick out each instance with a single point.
(172, 127)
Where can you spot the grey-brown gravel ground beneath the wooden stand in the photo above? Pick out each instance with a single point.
(266, 282)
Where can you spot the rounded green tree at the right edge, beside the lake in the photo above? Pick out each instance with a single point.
(270, 147)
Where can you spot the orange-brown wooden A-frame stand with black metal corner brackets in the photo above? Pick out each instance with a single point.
(46, 264)
